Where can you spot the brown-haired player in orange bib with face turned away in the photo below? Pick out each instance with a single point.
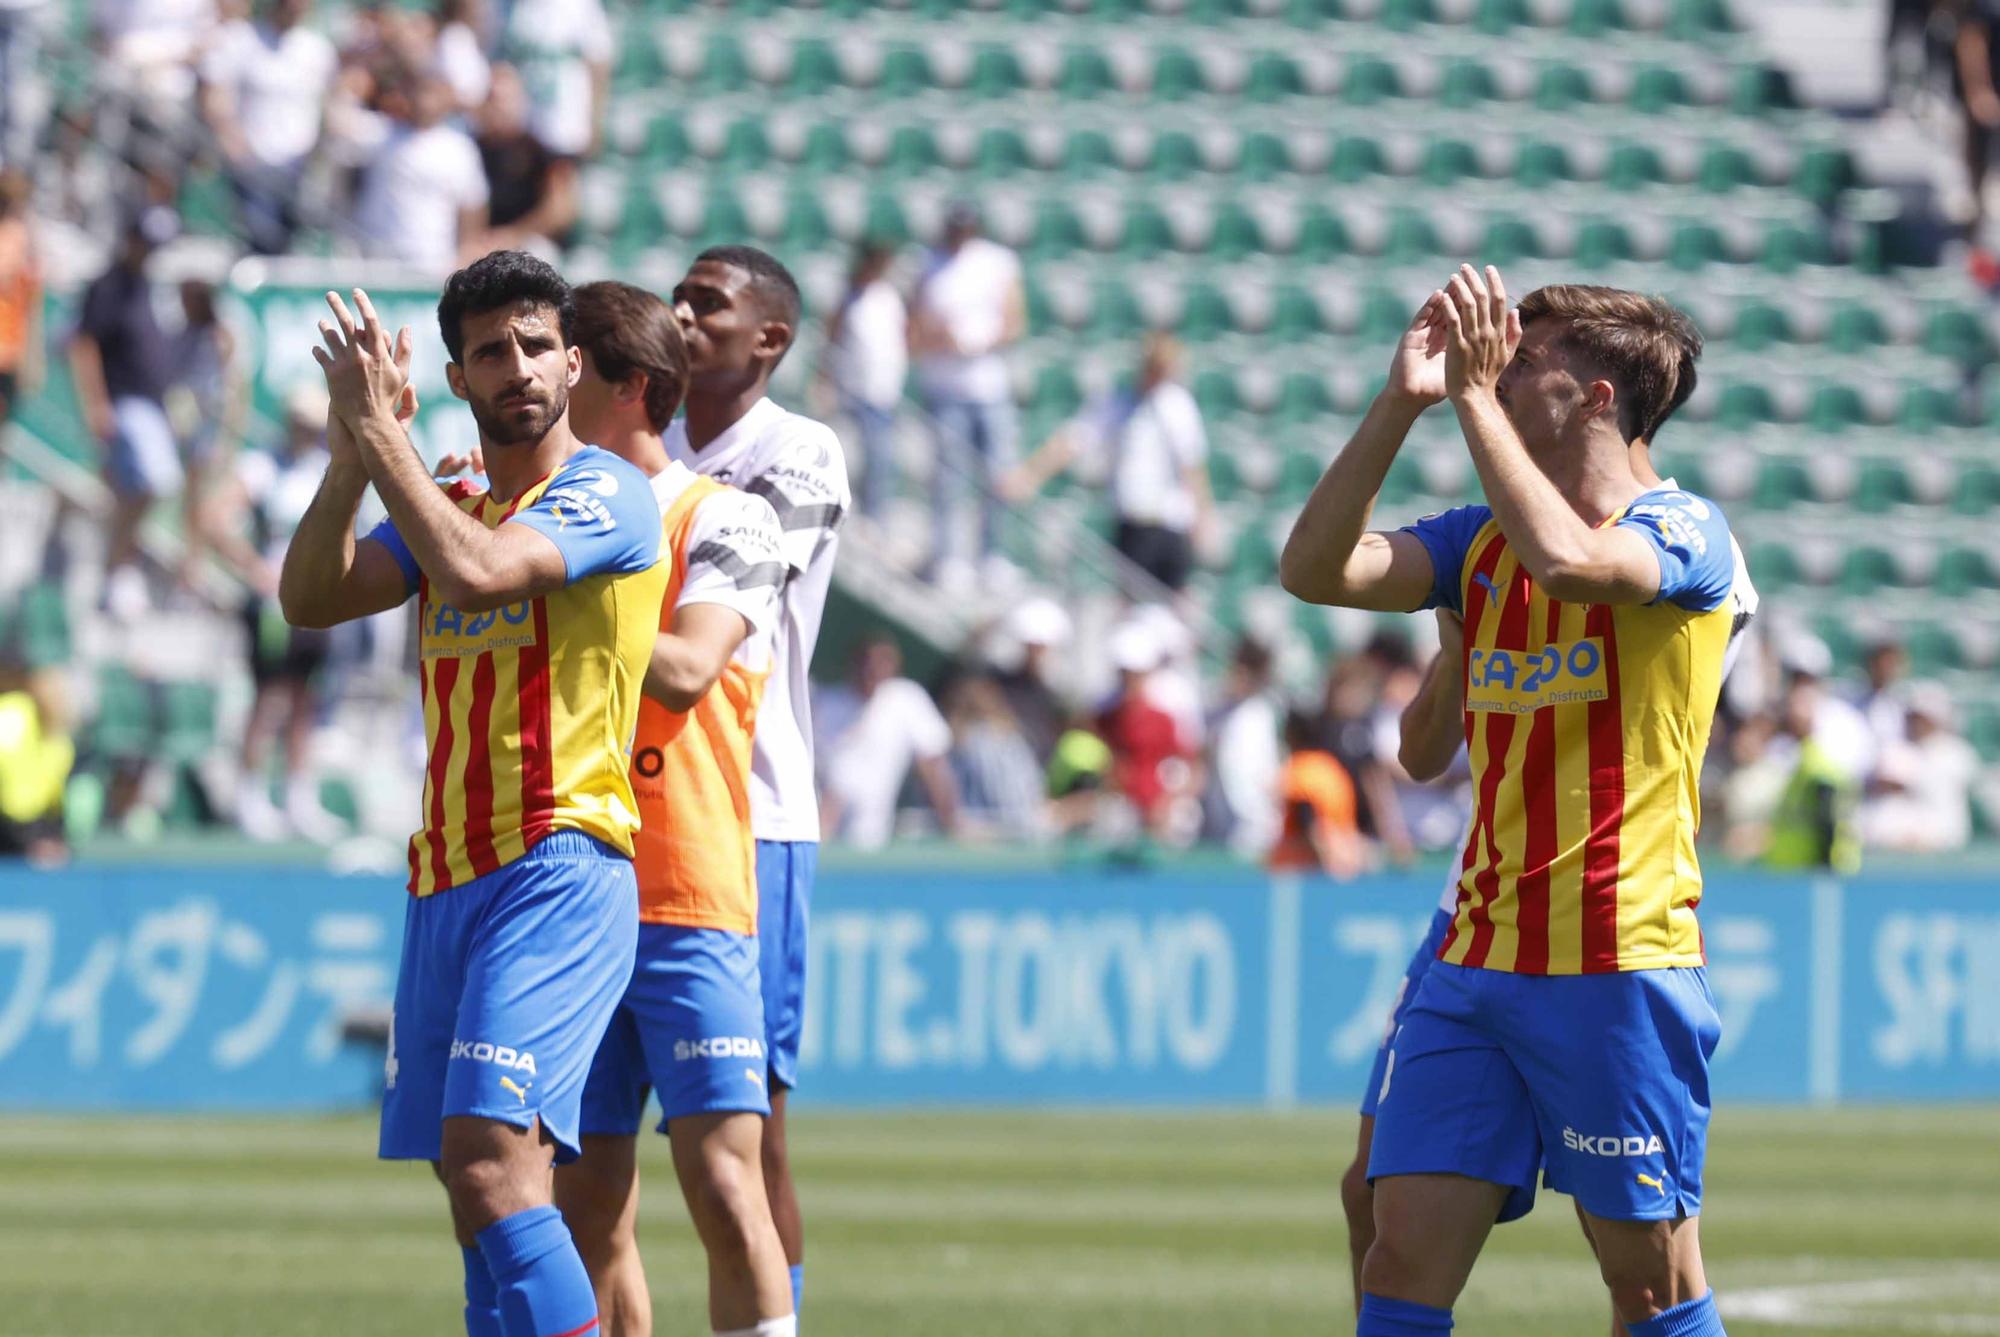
(693, 1020)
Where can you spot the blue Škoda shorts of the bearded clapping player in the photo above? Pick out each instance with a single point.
(505, 992)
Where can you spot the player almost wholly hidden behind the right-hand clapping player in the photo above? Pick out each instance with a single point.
(1431, 736)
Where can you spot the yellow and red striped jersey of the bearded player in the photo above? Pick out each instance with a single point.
(531, 710)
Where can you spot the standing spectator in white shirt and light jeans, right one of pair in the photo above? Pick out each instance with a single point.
(969, 309)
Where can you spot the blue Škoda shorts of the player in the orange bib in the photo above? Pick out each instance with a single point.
(691, 1026)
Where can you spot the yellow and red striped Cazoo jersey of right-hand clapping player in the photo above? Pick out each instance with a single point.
(1587, 728)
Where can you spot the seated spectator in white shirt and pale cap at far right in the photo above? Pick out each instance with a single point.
(1921, 798)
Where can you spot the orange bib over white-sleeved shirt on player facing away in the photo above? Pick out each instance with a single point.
(691, 772)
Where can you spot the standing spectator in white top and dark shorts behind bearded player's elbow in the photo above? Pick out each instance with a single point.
(251, 523)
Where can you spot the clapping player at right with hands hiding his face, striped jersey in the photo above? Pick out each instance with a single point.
(1567, 1020)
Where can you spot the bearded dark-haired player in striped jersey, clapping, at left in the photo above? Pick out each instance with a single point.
(537, 615)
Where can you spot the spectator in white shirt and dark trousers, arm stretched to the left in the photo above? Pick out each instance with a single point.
(1155, 449)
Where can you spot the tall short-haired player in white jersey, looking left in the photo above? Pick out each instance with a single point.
(739, 311)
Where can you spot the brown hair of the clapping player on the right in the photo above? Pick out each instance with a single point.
(1643, 345)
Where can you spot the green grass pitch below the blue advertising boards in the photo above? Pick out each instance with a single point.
(989, 1226)
